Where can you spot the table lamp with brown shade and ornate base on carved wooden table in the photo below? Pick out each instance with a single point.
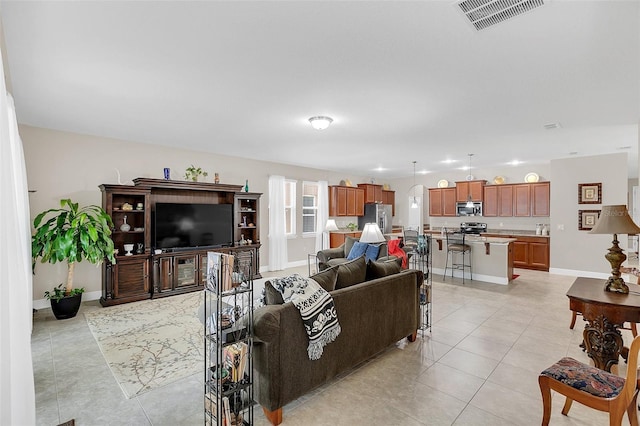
(615, 220)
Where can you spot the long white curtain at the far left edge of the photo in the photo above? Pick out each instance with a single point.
(17, 395)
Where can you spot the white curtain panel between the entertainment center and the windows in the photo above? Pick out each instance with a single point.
(277, 229)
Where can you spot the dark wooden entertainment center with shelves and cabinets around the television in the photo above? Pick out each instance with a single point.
(146, 273)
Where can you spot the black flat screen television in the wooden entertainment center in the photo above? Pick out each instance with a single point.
(192, 225)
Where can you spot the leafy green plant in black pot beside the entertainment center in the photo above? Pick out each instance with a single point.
(71, 234)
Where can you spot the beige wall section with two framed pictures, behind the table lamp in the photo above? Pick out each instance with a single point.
(577, 252)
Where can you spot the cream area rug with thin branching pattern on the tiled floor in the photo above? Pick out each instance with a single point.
(151, 343)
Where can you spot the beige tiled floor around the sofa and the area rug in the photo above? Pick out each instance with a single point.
(478, 366)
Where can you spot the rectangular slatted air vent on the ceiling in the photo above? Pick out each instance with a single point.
(485, 13)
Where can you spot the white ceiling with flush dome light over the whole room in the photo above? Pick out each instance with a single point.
(403, 81)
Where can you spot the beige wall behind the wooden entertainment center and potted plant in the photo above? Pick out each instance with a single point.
(67, 165)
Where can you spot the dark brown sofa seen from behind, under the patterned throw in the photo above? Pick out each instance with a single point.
(373, 315)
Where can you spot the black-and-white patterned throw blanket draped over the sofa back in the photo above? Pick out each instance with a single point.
(316, 309)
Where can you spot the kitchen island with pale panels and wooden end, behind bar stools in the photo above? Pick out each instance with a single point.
(491, 258)
